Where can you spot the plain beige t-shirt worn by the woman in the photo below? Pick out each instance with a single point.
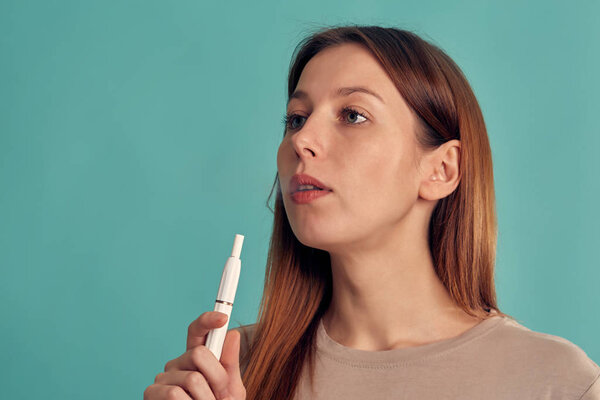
(496, 359)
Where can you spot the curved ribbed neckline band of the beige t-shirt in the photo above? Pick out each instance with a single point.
(347, 355)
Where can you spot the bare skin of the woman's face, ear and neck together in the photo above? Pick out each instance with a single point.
(386, 294)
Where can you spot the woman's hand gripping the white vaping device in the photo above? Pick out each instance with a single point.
(197, 374)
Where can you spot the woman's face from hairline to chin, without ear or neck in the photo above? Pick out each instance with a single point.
(370, 162)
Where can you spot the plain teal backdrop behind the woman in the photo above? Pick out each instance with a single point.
(138, 137)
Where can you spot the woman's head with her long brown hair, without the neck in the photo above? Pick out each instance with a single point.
(423, 147)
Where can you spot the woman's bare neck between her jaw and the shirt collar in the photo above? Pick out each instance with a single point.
(391, 303)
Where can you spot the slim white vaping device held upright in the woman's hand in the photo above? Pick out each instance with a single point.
(224, 303)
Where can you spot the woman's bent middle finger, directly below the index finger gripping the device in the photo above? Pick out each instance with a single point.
(201, 359)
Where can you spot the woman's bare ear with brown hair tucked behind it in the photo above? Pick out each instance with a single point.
(440, 171)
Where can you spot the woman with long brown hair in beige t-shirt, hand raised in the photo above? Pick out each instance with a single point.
(380, 279)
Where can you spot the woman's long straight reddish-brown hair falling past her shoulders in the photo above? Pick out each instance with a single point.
(462, 229)
